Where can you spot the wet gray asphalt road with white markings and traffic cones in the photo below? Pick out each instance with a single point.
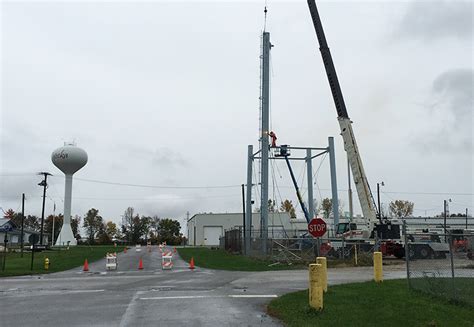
(155, 297)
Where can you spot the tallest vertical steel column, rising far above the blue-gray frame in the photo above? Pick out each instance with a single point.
(264, 140)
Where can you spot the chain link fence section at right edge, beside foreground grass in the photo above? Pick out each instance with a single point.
(441, 264)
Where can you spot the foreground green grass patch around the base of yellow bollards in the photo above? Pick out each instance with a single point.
(390, 303)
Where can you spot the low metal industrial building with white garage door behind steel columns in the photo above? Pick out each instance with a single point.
(205, 229)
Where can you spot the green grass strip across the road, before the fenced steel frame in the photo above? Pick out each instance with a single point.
(220, 259)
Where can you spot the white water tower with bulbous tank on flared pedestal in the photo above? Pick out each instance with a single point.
(68, 159)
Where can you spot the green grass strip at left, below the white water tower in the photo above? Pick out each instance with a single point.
(59, 259)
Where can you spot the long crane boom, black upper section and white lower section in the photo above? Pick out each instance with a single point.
(366, 199)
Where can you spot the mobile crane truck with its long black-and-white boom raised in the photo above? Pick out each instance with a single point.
(384, 230)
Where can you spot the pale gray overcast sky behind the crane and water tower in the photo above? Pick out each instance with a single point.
(166, 94)
